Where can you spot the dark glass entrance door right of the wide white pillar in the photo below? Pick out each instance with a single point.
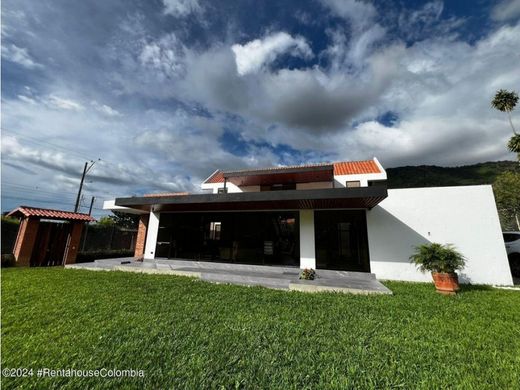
(341, 240)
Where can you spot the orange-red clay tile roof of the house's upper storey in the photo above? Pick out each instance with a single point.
(340, 168)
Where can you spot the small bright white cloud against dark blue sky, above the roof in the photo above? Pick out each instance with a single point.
(252, 56)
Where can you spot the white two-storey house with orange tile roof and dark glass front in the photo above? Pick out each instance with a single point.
(337, 216)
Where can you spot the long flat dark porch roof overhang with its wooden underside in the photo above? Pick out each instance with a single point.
(330, 198)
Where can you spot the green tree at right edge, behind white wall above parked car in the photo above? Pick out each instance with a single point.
(507, 195)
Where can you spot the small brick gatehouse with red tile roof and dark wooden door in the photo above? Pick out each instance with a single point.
(47, 237)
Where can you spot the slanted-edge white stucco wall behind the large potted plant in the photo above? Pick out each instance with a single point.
(465, 216)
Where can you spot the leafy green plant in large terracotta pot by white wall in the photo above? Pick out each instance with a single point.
(442, 261)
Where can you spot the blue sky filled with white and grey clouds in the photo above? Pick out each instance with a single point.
(166, 91)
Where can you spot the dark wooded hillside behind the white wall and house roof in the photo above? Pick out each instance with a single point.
(432, 175)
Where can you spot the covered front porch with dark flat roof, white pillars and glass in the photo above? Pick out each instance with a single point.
(315, 228)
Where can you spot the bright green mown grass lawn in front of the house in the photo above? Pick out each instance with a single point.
(185, 333)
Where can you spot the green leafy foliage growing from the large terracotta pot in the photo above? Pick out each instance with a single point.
(438, 258)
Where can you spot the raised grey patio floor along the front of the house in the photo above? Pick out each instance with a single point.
(285, 278)
